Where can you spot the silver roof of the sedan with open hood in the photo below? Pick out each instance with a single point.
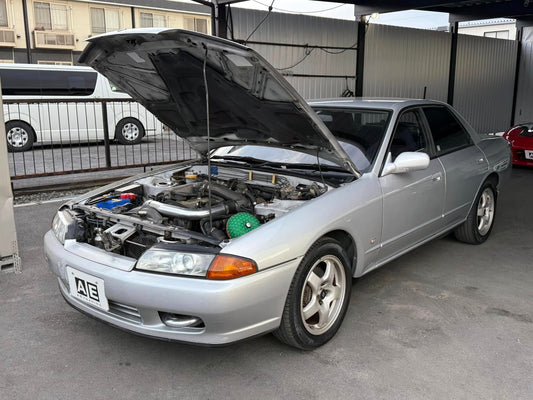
(372, 103)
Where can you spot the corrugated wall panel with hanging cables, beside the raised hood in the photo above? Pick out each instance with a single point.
(319, 56)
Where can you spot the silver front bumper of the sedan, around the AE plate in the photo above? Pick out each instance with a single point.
(231, 310)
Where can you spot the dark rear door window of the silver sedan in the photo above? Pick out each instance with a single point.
(448, 134)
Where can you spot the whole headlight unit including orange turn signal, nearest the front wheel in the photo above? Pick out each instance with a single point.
(210, 266)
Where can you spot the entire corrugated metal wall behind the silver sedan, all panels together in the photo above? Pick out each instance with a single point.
(318, 57)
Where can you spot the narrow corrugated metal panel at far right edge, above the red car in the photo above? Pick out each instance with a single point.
(524, 100)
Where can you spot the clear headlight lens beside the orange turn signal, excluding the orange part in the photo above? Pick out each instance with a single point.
(172, 262)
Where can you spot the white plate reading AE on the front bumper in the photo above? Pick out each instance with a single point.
(87, 288)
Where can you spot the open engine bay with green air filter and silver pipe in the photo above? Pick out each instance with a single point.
(188, 206)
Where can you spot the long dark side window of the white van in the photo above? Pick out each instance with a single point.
(16, 82)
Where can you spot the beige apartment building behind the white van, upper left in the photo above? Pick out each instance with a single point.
(54, 32)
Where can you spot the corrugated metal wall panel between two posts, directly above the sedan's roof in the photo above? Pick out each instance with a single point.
(400, 62)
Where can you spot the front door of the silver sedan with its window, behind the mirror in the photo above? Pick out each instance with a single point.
(412, 201)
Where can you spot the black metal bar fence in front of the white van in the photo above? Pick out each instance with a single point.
(81, 136)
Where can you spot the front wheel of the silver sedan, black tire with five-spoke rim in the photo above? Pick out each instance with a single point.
(318, 297)
